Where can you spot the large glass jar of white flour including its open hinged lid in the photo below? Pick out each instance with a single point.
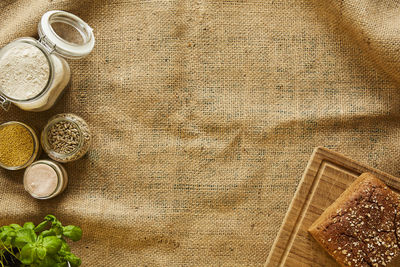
(34, 73)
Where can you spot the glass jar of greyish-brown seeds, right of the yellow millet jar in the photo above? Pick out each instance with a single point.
(66, 137)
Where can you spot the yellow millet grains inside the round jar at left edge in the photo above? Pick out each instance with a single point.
(16, 145)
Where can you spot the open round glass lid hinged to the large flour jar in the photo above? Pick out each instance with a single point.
(66, 34)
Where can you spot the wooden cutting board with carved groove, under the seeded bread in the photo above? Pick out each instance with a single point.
(327, 175)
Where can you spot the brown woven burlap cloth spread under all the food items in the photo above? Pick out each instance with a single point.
(205, 114)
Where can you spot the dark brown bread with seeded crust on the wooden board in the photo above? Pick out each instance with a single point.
(361, 228)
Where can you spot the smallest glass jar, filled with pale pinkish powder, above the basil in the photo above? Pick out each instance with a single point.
(45, 179)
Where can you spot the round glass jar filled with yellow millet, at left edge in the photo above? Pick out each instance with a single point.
(19, 145)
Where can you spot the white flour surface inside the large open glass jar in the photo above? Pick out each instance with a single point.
(24, 71)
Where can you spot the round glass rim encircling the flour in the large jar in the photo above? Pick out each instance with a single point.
(41, 47)
